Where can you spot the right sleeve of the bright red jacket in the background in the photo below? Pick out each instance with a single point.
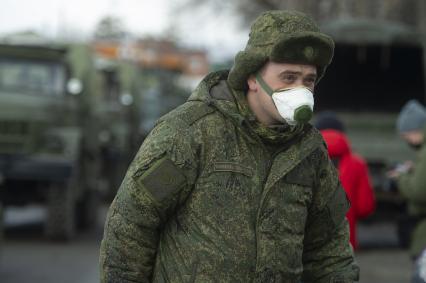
(365, 200)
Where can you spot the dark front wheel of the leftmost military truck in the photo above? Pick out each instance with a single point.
(60, 224)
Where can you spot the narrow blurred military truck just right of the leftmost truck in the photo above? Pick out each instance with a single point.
(118, 109)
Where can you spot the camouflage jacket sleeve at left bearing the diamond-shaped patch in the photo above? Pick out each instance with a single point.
(157, 182)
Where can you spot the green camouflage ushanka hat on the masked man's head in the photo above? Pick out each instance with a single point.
(281, 36)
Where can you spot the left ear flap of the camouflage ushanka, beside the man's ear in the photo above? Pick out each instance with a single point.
(246, 63)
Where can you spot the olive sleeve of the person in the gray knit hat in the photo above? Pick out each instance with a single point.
(412, 185)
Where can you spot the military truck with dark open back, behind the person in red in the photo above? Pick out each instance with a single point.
(377, 67)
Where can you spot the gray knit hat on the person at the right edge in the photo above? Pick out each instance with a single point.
(412, 117)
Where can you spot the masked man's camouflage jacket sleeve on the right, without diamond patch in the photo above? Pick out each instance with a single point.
(328, 255)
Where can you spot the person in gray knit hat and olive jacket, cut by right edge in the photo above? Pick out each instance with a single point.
(411, 182)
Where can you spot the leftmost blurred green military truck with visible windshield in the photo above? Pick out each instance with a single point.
(50, 150)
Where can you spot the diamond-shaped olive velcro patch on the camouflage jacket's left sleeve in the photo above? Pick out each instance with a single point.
(162, 179)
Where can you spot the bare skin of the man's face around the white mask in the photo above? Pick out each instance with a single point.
(278, 76)
